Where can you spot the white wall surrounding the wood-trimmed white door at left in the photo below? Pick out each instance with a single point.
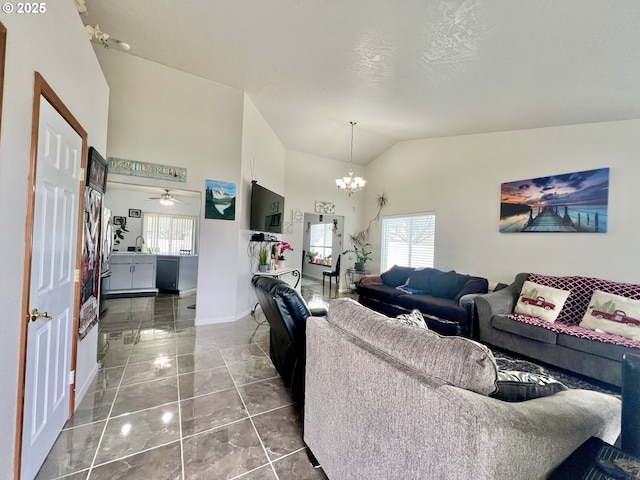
(54, 44)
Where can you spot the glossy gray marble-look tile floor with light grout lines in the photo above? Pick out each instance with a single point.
(176, 401)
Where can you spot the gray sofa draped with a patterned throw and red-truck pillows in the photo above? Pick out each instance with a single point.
(564, 343)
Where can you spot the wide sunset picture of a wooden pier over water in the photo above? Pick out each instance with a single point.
(570, 203)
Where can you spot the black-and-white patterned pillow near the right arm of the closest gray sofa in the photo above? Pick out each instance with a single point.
(521, 386)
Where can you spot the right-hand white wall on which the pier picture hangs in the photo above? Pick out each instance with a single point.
(459, 178)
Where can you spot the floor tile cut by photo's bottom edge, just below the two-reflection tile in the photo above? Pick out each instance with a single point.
(161, 463)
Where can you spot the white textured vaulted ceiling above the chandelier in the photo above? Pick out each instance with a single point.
(401, 69)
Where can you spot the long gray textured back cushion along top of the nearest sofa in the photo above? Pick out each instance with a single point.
(454, 361)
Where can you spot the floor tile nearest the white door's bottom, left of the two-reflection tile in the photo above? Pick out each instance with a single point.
(73, 451)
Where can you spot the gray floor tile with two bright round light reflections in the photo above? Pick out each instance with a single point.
(130, 434)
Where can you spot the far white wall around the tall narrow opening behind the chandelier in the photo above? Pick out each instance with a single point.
(309, 179)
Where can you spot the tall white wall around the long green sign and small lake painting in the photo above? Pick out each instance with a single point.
(162, 115)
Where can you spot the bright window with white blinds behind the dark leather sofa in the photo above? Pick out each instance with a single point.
(408, 241)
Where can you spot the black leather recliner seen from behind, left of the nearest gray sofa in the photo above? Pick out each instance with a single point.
(287, 313)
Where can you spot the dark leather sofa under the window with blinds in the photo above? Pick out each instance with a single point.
(445, 297)
